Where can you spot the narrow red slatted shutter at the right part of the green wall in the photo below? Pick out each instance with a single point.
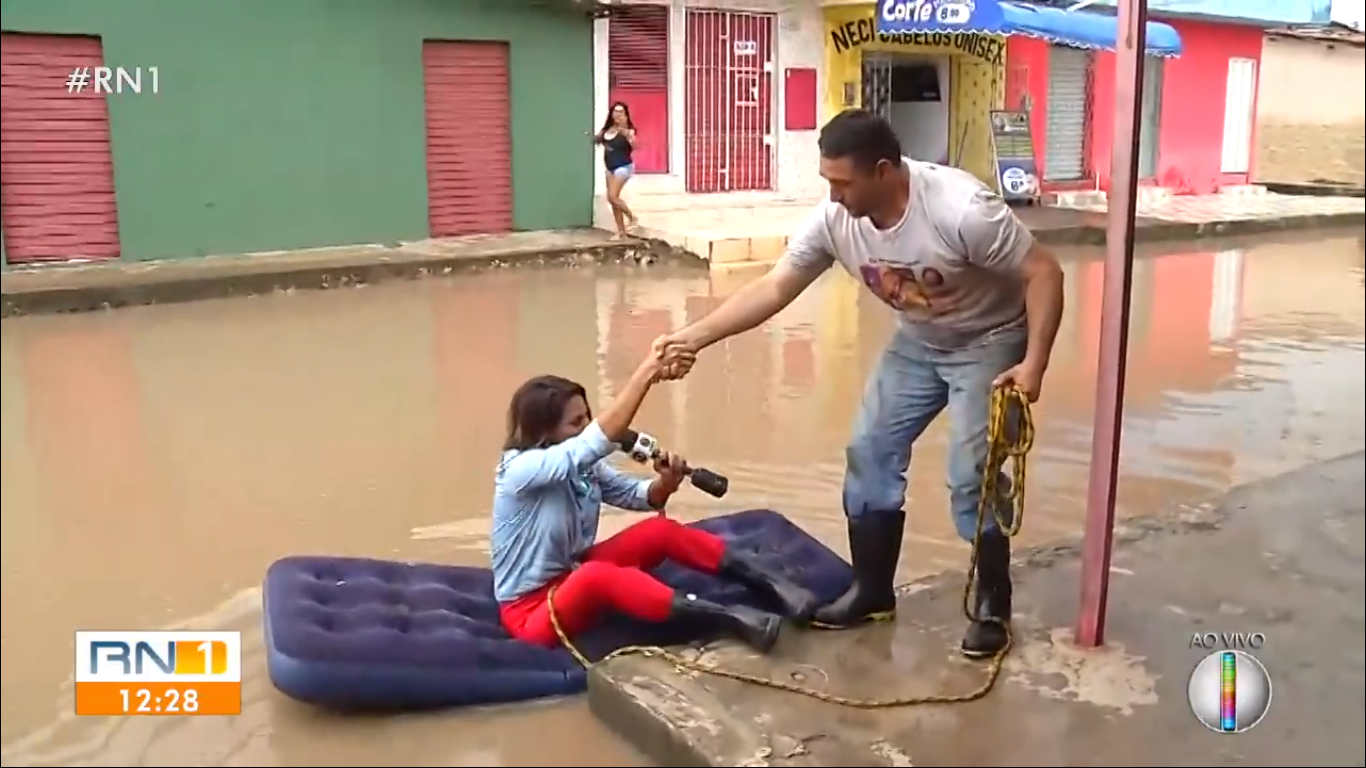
(469, 146)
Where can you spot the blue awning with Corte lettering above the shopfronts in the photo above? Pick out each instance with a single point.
(1080, 29)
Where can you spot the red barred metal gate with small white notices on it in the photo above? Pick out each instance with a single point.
(730, 102)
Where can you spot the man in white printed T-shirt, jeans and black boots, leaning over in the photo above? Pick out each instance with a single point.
(979, 304)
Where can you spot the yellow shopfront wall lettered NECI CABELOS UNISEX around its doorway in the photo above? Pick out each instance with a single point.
(976, 77)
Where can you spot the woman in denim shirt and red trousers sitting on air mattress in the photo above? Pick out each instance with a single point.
(553, 483)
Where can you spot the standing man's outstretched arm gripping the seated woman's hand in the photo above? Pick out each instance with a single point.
(809, 253)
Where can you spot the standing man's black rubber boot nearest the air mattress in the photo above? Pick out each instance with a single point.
(875, 547)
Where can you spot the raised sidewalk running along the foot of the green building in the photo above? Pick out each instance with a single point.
(114, 284)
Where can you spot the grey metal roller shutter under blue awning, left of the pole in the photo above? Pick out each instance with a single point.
(1065, 143)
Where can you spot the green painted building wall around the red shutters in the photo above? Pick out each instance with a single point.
(300, 124)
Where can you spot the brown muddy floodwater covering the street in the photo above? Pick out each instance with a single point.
(158, 460)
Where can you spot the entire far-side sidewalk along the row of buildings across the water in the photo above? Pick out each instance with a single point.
(117, 284)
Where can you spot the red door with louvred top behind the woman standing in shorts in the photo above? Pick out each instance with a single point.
(639, 76)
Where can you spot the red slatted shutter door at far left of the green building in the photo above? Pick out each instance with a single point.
(57, 174)
